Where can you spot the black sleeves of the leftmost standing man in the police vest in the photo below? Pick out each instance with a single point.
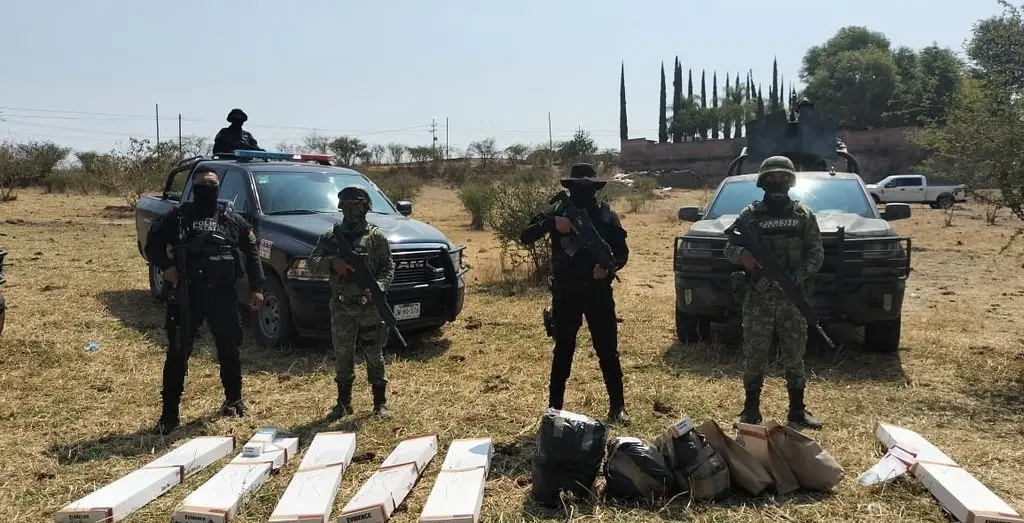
(165, 231)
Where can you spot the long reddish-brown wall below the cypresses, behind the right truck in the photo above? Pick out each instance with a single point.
(879, 153)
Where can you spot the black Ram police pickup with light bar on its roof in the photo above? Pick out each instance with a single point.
(290, 203)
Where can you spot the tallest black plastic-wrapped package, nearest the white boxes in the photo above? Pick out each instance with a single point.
(570, 452)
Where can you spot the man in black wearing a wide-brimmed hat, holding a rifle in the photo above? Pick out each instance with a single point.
(582, 288)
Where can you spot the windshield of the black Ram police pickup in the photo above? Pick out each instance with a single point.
(298, 193)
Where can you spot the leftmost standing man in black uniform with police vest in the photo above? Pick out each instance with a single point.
(217, 241)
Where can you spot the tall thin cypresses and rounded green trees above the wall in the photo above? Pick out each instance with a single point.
(857, 78)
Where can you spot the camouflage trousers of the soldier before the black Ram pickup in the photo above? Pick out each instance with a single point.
(358, 328)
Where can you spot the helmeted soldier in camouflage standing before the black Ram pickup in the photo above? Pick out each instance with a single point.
(355, 321)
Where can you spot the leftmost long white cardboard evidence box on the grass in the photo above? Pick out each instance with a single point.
(135, 491)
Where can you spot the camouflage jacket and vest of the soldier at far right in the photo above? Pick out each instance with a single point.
(792, 235)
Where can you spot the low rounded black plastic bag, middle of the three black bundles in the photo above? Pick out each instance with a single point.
(635, 469)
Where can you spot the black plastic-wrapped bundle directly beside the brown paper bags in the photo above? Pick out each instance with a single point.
(698, 467)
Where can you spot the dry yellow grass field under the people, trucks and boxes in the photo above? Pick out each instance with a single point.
(75, 420)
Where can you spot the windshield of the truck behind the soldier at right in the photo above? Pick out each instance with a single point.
(824, 196)
